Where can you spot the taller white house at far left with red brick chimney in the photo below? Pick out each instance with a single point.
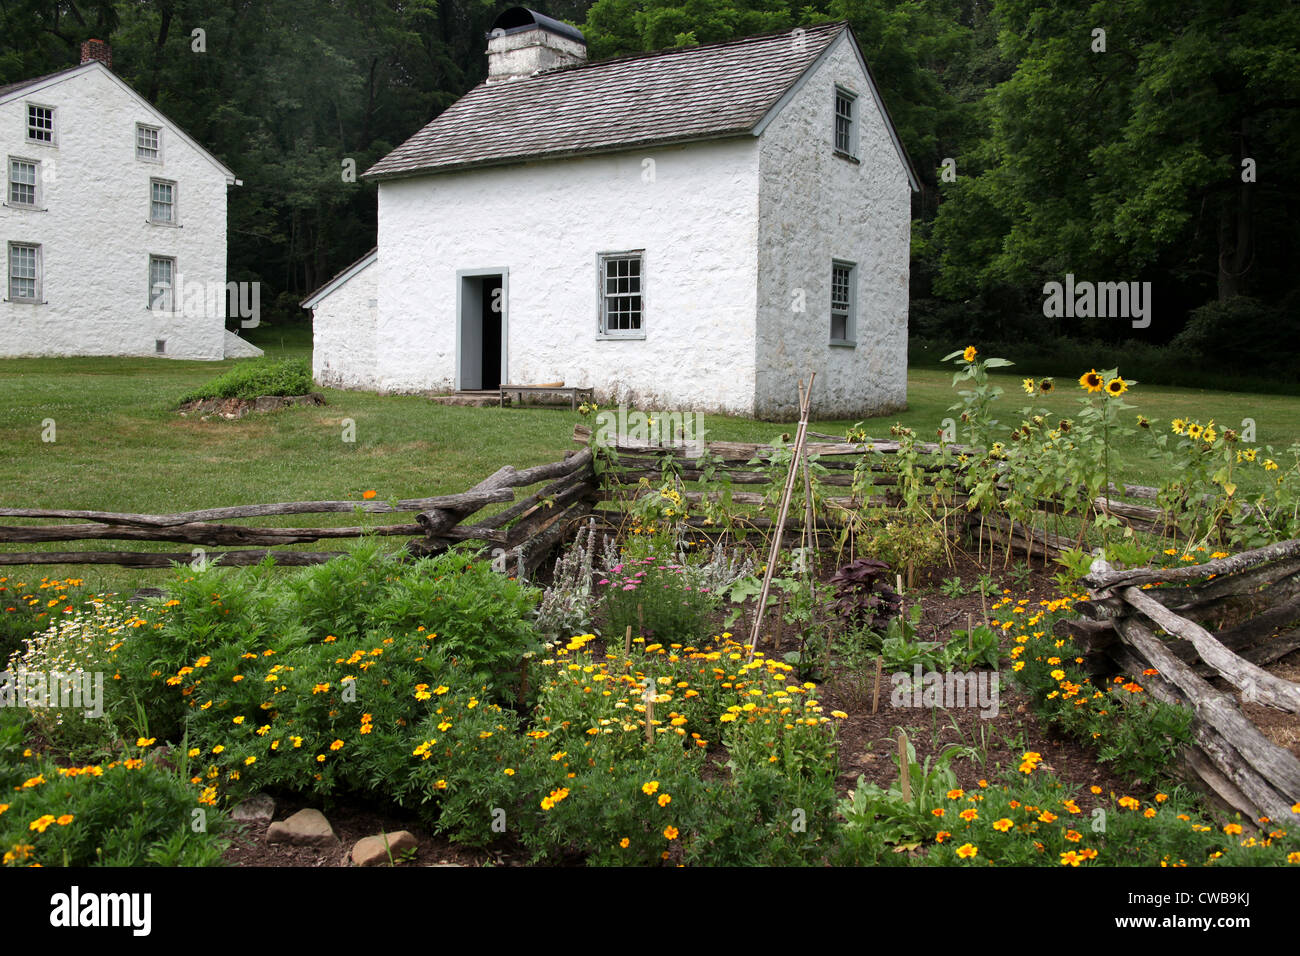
(114, 223)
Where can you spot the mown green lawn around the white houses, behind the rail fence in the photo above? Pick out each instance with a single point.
(122, 447)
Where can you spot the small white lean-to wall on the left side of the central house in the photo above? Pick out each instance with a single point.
(344, 344)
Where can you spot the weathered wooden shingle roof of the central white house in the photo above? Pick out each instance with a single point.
(675, 96)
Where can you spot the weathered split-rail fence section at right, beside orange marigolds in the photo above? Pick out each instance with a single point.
(1251, 600)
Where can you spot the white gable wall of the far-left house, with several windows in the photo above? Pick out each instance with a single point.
(96, 236)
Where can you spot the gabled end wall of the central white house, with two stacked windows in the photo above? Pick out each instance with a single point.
(816, 207)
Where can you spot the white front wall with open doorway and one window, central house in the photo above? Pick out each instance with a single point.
(696, 219)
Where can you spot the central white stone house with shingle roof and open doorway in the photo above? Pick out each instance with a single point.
(692, 230)
